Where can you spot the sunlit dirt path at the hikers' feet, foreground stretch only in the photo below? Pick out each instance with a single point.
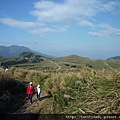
(35, 107)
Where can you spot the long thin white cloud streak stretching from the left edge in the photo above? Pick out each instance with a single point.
(32, 27)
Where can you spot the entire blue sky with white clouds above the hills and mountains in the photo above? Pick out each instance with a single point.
(88, 28)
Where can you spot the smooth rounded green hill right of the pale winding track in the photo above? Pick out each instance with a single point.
(78, 62)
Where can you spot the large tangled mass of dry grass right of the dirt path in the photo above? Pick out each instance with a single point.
(85, 92)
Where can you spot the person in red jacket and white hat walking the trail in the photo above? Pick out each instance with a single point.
(30, 91)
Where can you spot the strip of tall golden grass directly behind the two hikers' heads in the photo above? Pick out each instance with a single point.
(37, 77)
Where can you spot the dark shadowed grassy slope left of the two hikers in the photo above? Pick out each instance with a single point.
(12, 93)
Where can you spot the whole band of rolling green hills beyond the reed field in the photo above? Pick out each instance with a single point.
(33, 61)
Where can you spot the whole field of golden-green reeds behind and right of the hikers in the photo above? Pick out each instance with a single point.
(86, 91)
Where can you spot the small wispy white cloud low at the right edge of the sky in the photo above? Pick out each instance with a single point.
(105, 31)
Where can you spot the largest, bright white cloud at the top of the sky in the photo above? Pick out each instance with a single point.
(71, 10)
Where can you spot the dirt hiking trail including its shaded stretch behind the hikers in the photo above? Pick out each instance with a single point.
(36, 106)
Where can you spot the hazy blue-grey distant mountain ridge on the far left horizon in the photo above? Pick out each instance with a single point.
(14, 50)
